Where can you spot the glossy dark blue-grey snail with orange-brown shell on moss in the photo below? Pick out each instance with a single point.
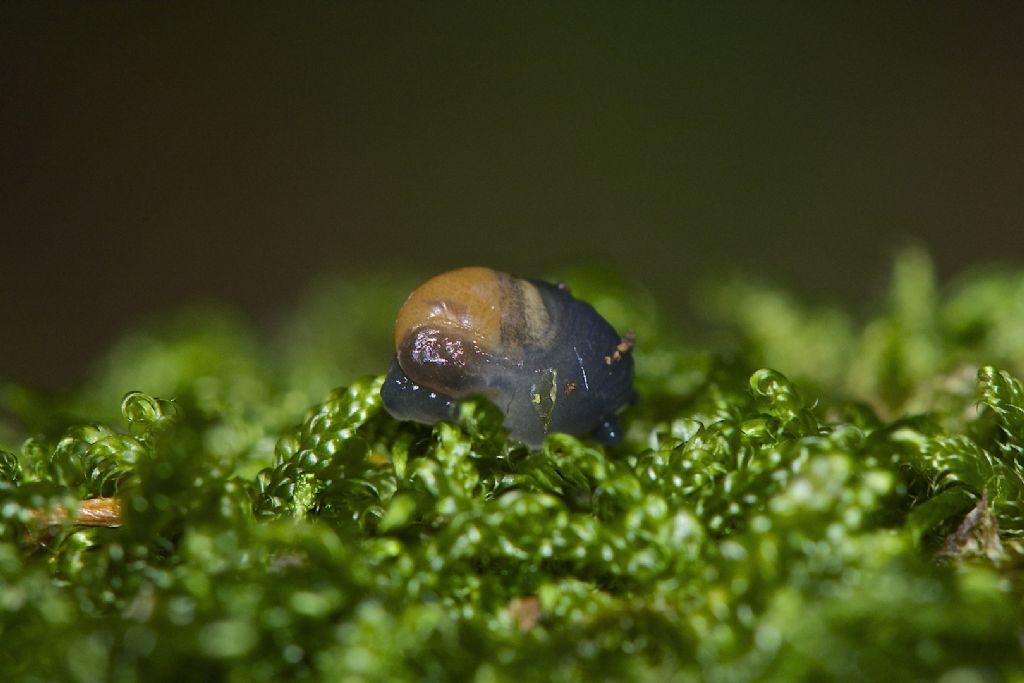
(547, 360)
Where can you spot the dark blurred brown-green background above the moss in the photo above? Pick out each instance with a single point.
(154, 155)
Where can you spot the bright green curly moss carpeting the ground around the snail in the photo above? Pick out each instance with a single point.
(852, 514)
